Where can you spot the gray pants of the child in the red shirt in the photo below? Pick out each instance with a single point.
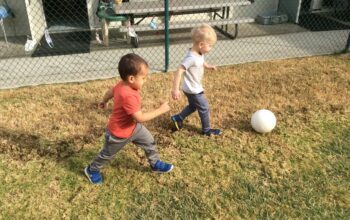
(140, 137)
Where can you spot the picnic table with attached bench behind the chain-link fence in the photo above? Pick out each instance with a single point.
(140, 10)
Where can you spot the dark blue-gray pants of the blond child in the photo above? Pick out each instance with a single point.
(200, 103)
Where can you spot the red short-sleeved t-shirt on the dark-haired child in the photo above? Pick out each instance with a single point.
(127, 101)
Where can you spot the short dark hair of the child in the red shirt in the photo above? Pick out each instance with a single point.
(130, 64)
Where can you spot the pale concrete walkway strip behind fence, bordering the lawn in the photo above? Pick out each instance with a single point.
(19, 72)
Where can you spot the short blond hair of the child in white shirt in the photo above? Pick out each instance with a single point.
(204, 33)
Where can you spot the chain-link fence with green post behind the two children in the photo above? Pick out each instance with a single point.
(50, 41)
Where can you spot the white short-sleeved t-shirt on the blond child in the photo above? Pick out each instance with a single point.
(194, 66)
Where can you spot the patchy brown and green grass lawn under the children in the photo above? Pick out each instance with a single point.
(49, 133)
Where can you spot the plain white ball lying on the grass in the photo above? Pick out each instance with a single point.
(263, 121)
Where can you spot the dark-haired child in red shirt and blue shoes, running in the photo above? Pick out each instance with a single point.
(124, 124)
